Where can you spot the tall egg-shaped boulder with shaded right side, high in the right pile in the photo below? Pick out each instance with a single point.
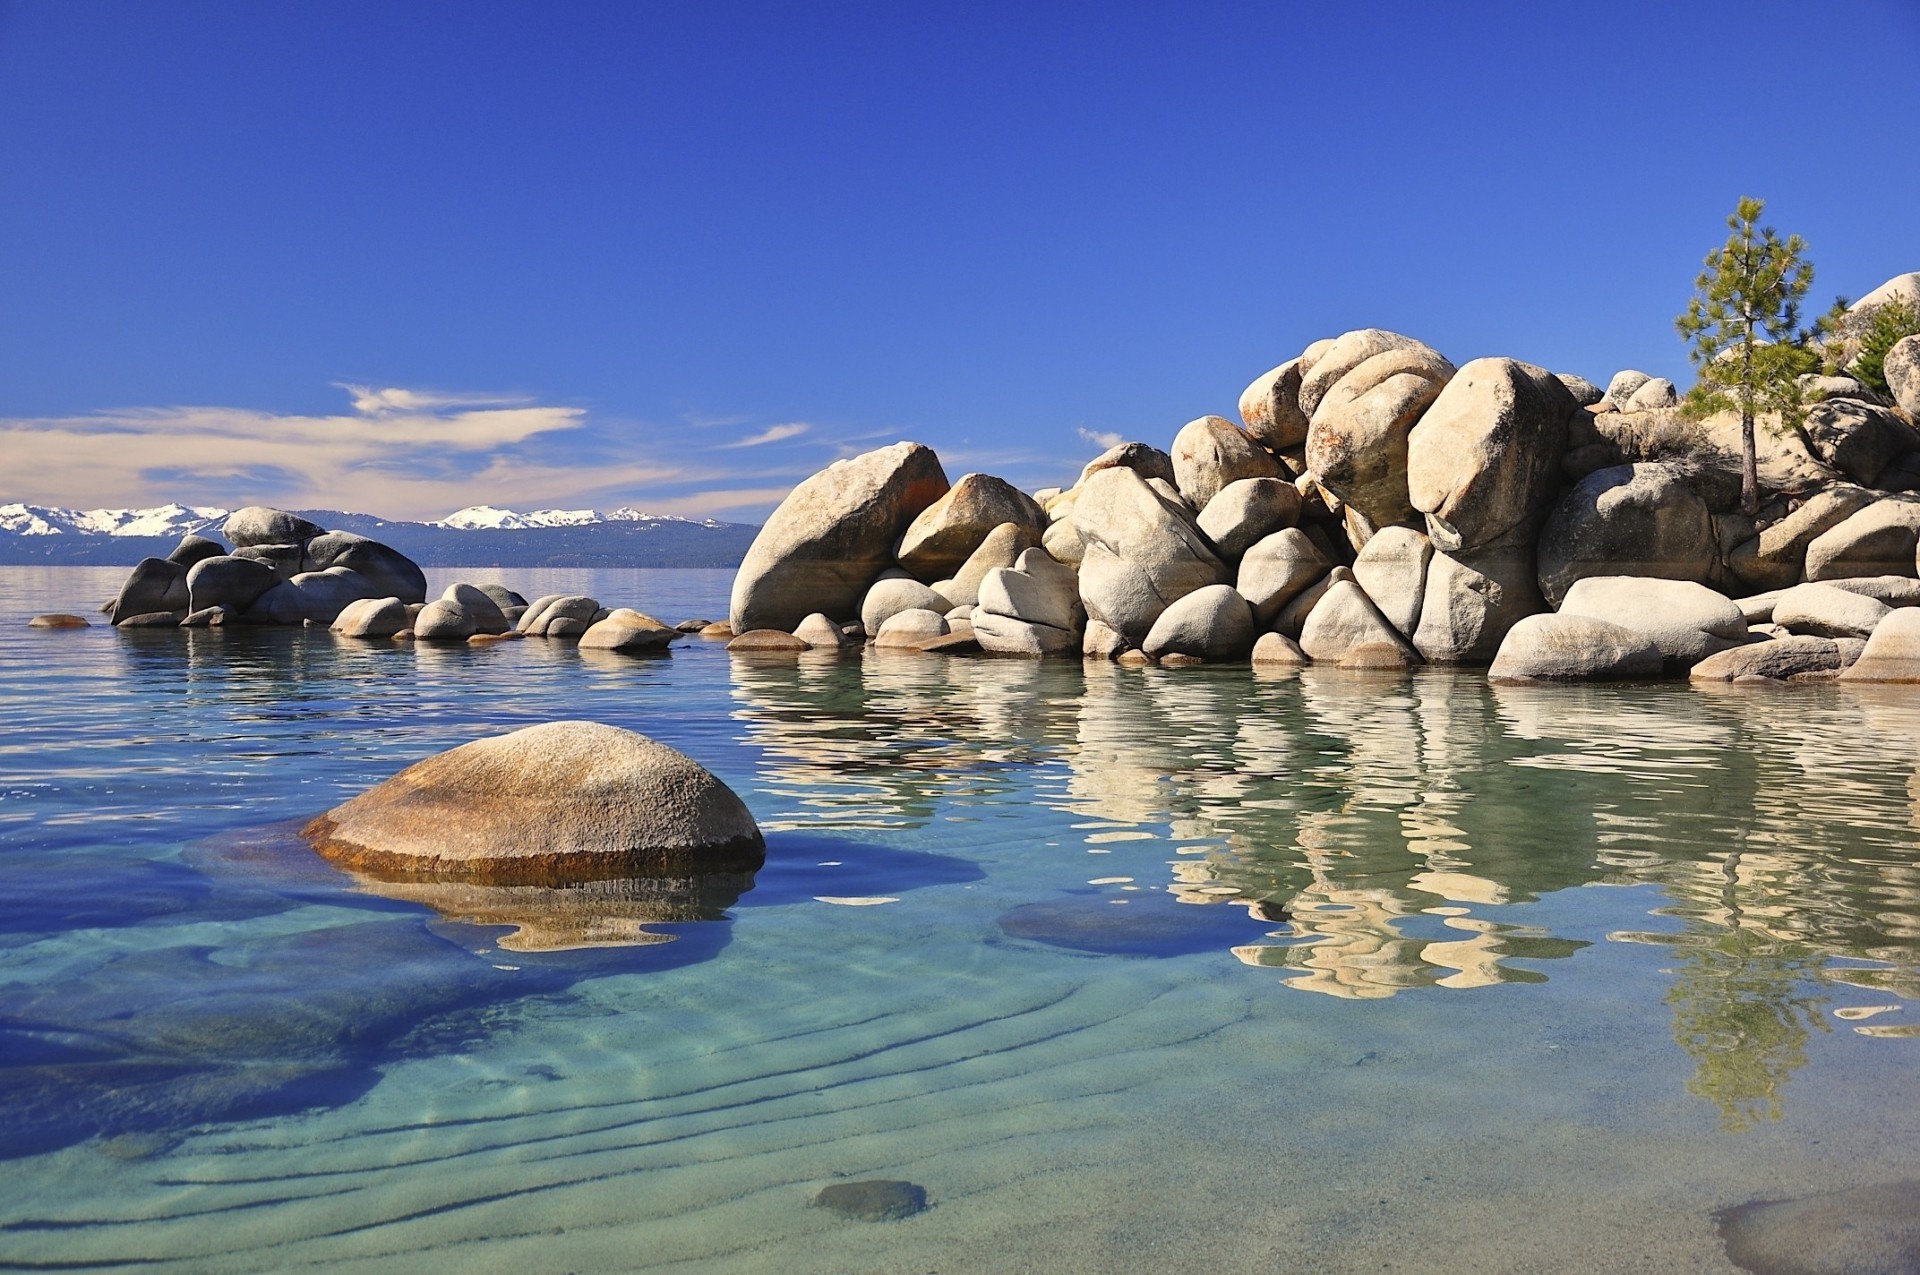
(1485, 458)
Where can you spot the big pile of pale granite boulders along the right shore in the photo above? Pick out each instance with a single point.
(1380, 508)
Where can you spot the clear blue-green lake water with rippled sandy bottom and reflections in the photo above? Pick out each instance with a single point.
(1170, 971)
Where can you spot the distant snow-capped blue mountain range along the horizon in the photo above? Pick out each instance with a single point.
(475, 537)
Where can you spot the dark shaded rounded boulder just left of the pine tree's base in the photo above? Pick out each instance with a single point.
(1627, 521)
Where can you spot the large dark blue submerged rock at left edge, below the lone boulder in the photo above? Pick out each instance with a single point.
(170, 1040)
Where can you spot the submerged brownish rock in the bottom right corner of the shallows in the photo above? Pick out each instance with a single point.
(1861, 1232)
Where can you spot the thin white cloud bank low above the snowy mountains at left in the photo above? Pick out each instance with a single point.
(400, 454)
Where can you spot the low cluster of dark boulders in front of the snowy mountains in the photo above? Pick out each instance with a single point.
(285, 569)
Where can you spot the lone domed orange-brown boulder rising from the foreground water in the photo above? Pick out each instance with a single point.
(548, 806)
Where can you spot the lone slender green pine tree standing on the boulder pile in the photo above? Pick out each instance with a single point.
(1744, 333)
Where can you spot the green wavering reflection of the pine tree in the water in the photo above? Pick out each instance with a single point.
(1744, 1019)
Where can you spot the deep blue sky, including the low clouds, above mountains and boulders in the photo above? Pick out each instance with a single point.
(414, 256)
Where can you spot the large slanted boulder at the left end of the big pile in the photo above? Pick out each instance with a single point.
(832, 537)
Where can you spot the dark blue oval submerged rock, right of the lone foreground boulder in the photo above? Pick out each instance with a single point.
(1143, 925)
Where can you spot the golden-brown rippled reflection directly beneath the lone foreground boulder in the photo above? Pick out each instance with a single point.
(552, 919)
